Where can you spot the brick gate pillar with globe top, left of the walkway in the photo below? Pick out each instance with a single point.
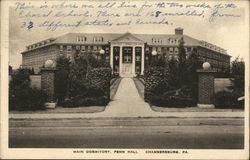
(48, 83)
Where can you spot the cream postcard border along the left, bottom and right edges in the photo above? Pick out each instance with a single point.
(68, 153)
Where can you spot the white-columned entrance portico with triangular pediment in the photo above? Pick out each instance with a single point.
(127, 56)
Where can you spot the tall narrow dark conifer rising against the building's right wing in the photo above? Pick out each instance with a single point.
(182, 62)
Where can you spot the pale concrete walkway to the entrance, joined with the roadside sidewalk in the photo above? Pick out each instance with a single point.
(127, 103)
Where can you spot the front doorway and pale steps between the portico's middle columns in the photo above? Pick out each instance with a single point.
(127, 62)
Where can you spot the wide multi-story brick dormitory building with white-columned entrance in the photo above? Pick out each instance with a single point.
(127, 53)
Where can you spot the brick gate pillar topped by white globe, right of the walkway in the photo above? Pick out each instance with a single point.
(206, 86)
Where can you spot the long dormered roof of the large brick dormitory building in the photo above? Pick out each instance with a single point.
(105, 38)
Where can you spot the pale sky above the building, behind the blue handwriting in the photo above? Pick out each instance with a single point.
(231, 34)
